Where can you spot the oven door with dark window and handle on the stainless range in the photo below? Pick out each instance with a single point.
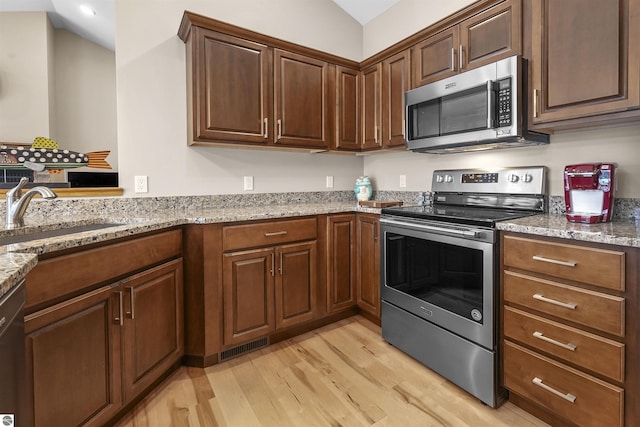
(443, 273)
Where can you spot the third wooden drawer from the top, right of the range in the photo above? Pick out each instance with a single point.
(567, 343)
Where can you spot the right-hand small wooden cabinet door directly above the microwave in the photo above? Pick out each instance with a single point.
(491, 35)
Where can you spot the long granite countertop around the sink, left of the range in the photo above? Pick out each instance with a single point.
(17, 259)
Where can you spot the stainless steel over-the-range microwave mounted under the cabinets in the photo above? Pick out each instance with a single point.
(479, 109)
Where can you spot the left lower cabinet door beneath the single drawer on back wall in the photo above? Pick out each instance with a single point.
(248, 295)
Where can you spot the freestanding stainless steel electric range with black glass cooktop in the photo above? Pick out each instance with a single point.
(439, 271)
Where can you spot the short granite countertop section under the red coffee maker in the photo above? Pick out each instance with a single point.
(623, 232)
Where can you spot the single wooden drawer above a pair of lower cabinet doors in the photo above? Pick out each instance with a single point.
(268, 233)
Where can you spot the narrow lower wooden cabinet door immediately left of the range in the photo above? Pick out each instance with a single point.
(368, 289)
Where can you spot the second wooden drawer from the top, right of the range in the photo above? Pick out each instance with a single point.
(592, 309)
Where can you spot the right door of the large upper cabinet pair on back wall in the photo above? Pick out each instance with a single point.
(301, 100)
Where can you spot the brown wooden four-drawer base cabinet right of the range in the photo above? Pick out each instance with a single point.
(563, 303)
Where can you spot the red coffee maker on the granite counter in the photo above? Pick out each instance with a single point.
(588, 192)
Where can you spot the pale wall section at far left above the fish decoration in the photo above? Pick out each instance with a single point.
(25, 89)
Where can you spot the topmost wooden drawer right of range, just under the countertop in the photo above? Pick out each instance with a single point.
(582, 264)
